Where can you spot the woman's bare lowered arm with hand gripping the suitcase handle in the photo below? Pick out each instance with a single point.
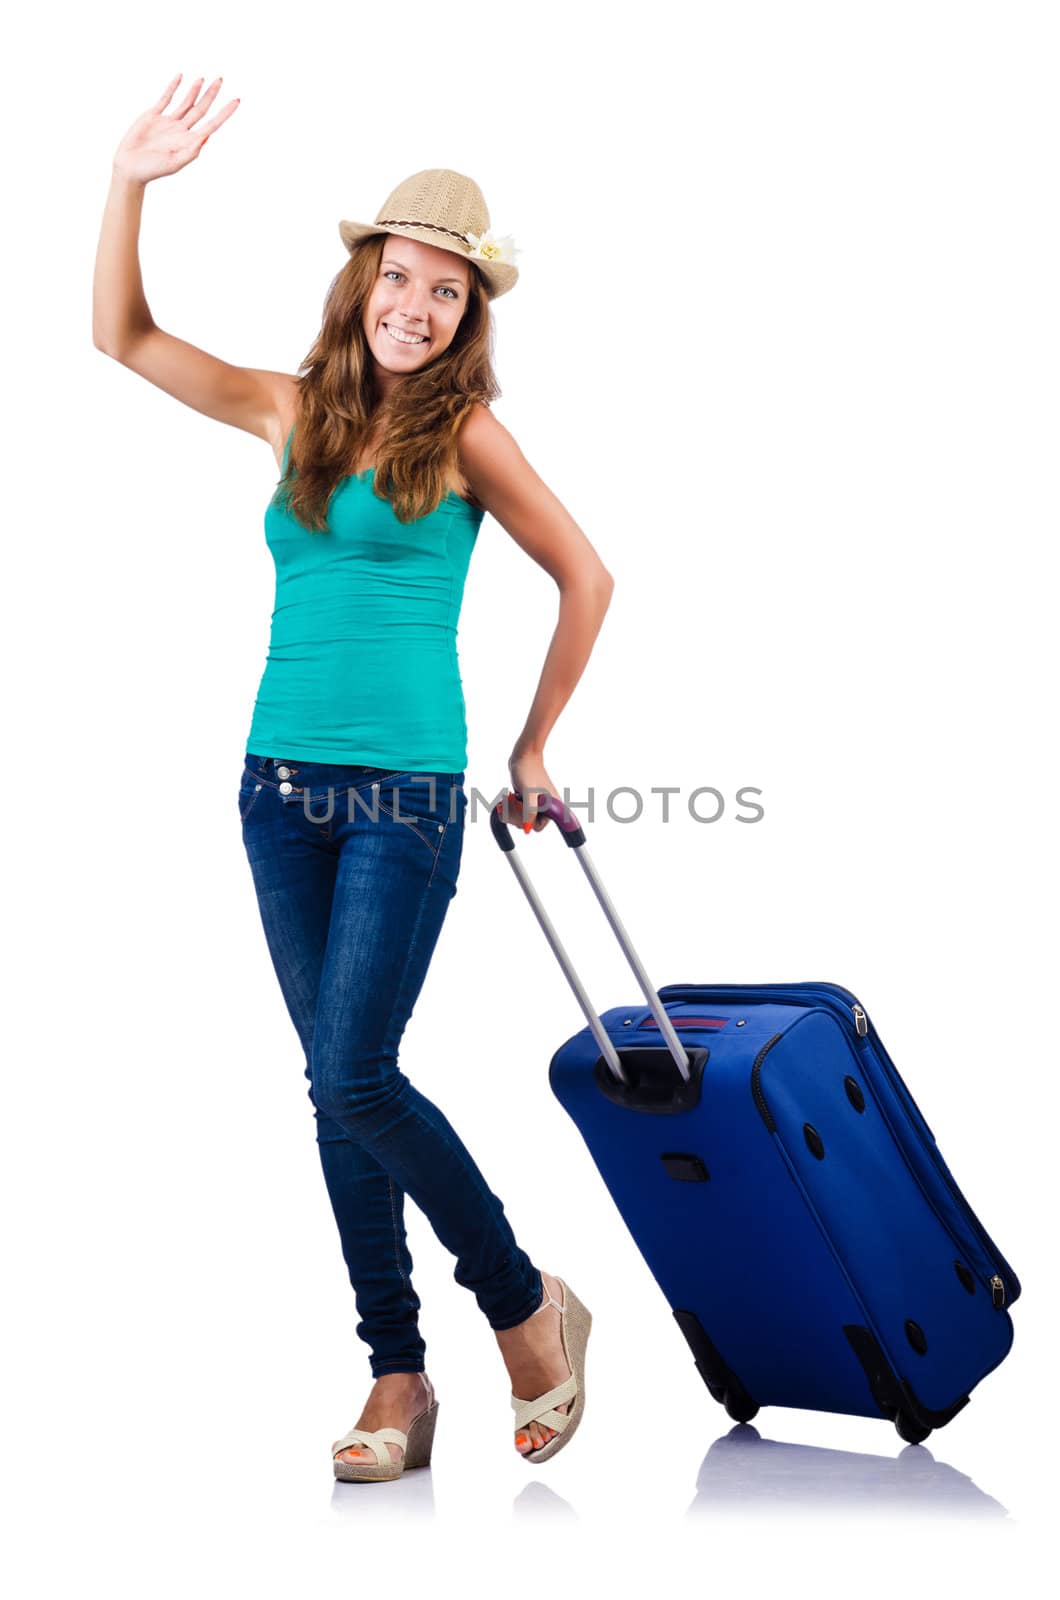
(504, 481)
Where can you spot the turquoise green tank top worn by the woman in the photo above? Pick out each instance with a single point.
(363, 660)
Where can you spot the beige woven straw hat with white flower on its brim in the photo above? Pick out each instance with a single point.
(444, 209)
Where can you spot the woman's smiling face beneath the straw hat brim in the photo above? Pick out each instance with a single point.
(420, 292)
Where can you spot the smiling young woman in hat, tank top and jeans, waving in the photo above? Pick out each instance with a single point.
(353, 794)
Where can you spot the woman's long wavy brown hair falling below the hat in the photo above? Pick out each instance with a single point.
(340, 402)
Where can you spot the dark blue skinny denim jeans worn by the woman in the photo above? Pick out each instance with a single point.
(355, 870)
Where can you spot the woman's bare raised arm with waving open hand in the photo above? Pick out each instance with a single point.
(158, 146)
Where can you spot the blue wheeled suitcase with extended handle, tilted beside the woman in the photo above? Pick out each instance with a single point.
(784, 1190)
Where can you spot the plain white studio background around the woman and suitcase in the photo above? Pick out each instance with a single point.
(785, 345)
